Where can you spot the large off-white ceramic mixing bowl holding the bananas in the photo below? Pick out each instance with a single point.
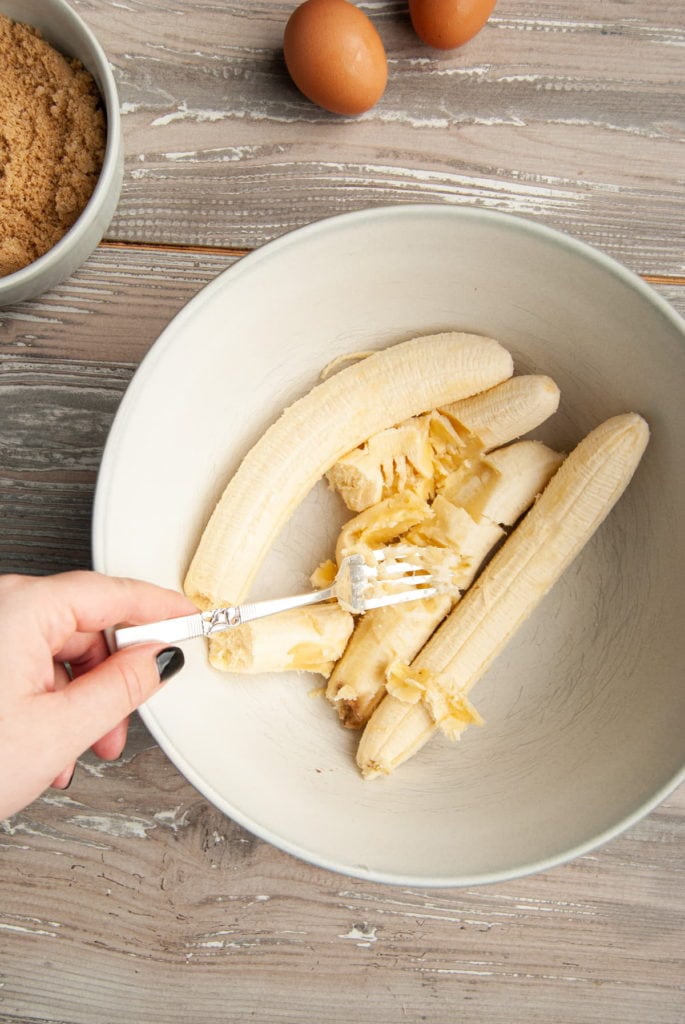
(585, 710)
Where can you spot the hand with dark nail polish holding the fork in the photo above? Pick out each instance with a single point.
(61, 692)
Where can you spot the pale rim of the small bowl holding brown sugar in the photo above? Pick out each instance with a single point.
(111, 163)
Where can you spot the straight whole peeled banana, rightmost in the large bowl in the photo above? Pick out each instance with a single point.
(576, 501)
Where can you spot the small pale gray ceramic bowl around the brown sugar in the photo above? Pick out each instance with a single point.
(63, 28)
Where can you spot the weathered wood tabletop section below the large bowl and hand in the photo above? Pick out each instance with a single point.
(130, 898)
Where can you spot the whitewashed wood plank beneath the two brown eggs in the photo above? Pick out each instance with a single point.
(571, 114)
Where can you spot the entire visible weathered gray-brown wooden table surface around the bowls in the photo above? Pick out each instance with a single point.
(131, 899)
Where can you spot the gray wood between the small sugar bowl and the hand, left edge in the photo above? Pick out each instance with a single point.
(66, 361)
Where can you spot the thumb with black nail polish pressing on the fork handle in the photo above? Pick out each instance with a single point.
(98, 701)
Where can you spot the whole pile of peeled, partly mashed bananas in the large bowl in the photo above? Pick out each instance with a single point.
(412, 438)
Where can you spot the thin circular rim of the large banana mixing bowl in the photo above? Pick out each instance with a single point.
(515, 223)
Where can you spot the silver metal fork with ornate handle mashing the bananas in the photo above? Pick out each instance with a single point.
(393, 579)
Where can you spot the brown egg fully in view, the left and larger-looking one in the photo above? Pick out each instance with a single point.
(335, 56)
